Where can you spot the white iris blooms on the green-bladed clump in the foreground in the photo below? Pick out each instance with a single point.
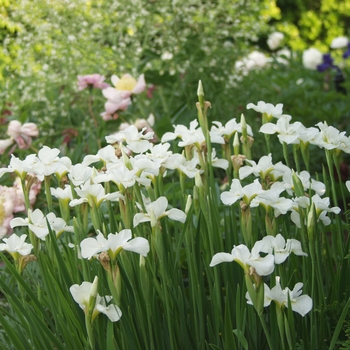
(132, 161)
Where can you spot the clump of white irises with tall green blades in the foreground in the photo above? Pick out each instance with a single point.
(184, 202)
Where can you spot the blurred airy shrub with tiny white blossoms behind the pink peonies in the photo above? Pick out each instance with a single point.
(59, 40)
